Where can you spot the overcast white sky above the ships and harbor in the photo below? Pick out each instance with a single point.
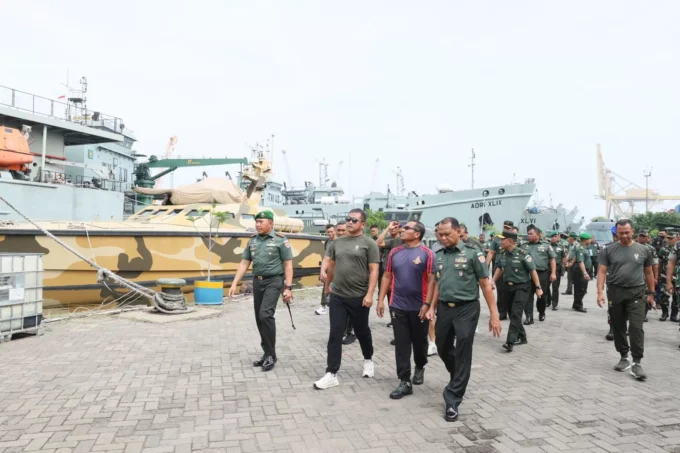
(532, 86)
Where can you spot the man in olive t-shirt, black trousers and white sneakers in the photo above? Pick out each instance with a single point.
(353, 272)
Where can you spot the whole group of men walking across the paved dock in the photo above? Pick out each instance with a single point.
(434, 292)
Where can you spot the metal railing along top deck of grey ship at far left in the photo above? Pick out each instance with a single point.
(64, 111)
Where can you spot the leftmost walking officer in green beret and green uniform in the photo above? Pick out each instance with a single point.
(272, 257)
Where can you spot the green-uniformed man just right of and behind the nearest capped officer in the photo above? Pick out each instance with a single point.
(543, 257)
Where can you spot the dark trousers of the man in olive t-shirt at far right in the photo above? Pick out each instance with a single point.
(628, 304)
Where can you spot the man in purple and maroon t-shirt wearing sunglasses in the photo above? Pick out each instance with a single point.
(409, 275)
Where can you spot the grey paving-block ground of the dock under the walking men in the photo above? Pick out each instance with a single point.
(107, 384)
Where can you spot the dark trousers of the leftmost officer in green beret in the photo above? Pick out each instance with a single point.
(266, 295)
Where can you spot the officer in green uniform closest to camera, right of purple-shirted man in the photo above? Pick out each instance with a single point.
(460, 270)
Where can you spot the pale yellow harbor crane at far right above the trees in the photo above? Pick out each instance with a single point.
(617, 191)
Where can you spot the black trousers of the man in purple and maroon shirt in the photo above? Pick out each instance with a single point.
(409, 333)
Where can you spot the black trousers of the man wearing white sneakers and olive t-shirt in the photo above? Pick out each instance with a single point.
(342, 309)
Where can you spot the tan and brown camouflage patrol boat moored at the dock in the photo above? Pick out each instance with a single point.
(169, 240)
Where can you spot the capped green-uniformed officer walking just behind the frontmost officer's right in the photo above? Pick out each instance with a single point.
(517, 269)
